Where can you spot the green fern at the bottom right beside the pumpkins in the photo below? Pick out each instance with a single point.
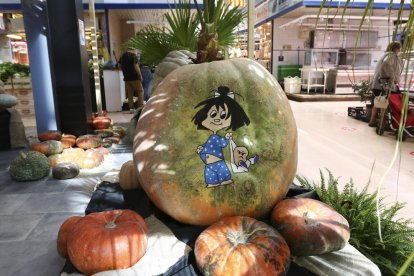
(359, 208)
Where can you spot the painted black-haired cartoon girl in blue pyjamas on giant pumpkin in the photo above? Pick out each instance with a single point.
(218, 112)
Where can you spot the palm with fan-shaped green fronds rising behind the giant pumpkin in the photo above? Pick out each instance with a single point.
(207, 31)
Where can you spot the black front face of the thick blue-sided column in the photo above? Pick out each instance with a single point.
(70, 65)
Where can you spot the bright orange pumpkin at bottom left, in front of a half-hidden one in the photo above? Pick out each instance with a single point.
(107, 240)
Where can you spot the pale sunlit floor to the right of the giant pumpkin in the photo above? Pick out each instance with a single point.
(329, 138)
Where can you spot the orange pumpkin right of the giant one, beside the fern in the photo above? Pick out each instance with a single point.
(310, 227)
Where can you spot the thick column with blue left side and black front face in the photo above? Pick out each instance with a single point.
(59, 64)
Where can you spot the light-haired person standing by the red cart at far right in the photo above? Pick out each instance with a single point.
(389, 66)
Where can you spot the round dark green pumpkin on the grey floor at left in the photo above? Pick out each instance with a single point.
(29, 166)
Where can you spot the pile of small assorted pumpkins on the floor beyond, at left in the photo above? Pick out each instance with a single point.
(66, 154)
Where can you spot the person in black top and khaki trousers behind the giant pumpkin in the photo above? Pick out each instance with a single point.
(132, 78)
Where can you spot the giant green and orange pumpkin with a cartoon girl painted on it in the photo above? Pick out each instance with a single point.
(175, 175)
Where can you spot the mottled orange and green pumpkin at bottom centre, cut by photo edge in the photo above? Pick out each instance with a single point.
(241, 246)
